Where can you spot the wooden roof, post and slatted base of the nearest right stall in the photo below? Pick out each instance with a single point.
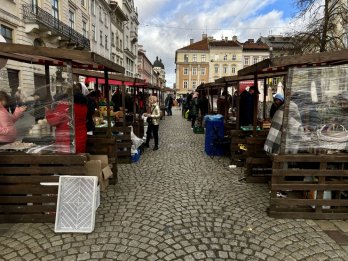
(282, 176)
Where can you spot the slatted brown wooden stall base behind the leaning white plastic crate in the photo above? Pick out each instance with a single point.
(22, 198)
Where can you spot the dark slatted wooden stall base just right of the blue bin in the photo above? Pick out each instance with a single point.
(254, 158)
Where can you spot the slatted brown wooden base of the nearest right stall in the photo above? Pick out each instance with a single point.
(330, 173)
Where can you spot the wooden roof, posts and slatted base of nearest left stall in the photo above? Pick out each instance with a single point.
(27, 172)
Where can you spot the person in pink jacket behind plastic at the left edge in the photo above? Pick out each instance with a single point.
(8, 132)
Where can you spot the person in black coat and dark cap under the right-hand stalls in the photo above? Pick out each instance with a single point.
(246, 106)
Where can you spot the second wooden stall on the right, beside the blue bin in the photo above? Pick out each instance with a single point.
(247, 142)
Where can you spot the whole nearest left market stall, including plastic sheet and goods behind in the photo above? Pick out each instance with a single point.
(44, 142)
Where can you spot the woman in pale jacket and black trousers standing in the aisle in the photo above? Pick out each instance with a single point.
(153, 118)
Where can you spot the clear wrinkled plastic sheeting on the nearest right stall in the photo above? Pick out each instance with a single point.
(319, 121)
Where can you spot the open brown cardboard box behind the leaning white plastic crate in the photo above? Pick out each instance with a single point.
(97, 165)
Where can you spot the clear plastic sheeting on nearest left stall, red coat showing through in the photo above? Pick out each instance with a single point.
(36, 122)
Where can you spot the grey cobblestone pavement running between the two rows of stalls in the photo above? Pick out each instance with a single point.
(177, 204)
